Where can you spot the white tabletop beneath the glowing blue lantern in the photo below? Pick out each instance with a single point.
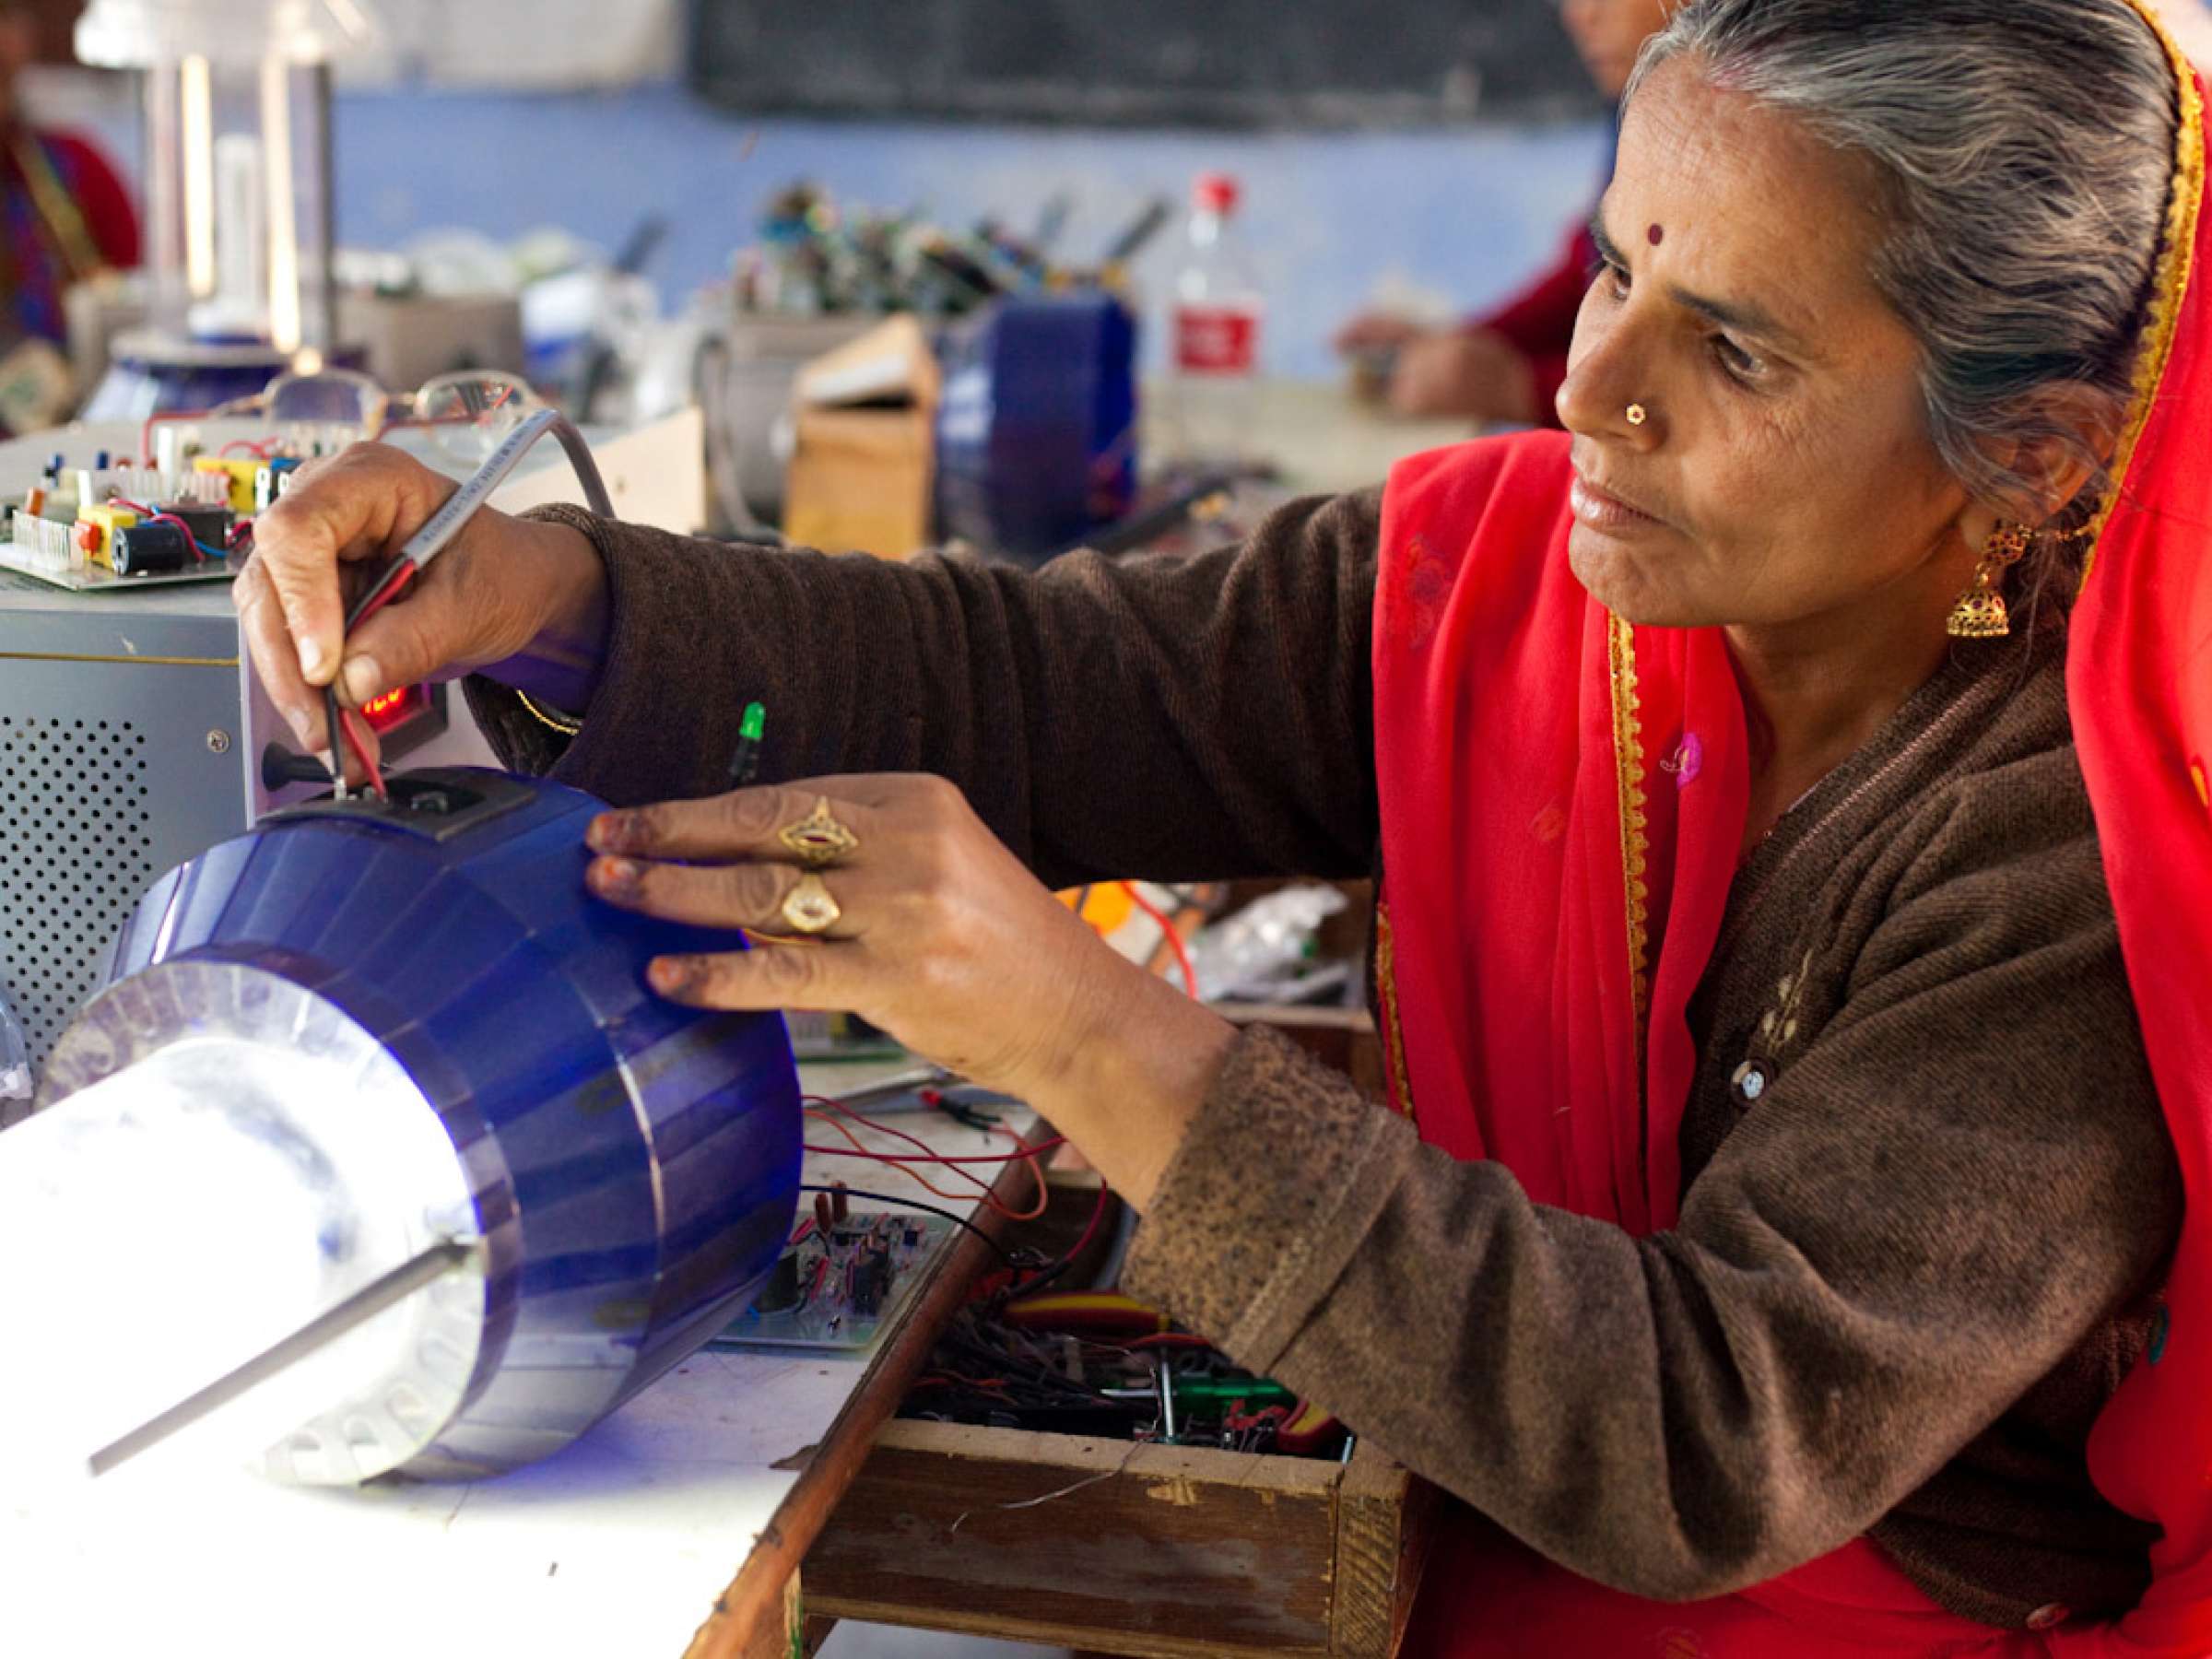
(614, 1547)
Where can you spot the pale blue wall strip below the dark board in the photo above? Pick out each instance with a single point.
(1326, 213)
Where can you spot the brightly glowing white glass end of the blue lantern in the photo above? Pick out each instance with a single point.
(209, 1198)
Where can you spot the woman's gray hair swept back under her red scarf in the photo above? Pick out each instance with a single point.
(2027, 152)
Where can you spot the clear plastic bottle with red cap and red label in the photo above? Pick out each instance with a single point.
(1213, 335)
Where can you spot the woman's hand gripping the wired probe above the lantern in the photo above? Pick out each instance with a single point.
(501, 589)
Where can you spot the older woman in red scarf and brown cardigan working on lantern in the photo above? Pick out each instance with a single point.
(1797, 948)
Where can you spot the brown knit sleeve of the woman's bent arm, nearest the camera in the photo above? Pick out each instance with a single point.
(1954, 1182)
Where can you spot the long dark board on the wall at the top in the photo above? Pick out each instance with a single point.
(1142, 63)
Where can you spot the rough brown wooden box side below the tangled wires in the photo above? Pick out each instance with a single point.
(1118, 1547)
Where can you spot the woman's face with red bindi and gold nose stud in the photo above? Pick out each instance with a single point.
(1784, 470)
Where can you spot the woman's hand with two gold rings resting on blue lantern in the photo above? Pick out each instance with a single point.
(943, 941)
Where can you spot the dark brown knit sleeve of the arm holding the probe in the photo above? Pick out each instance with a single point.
(1176, 718)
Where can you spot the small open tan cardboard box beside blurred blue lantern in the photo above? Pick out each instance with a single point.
(864, 455)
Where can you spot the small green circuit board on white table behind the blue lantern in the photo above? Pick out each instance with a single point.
(833, 1293)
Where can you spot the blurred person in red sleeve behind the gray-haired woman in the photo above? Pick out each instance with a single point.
(1507, 366)
